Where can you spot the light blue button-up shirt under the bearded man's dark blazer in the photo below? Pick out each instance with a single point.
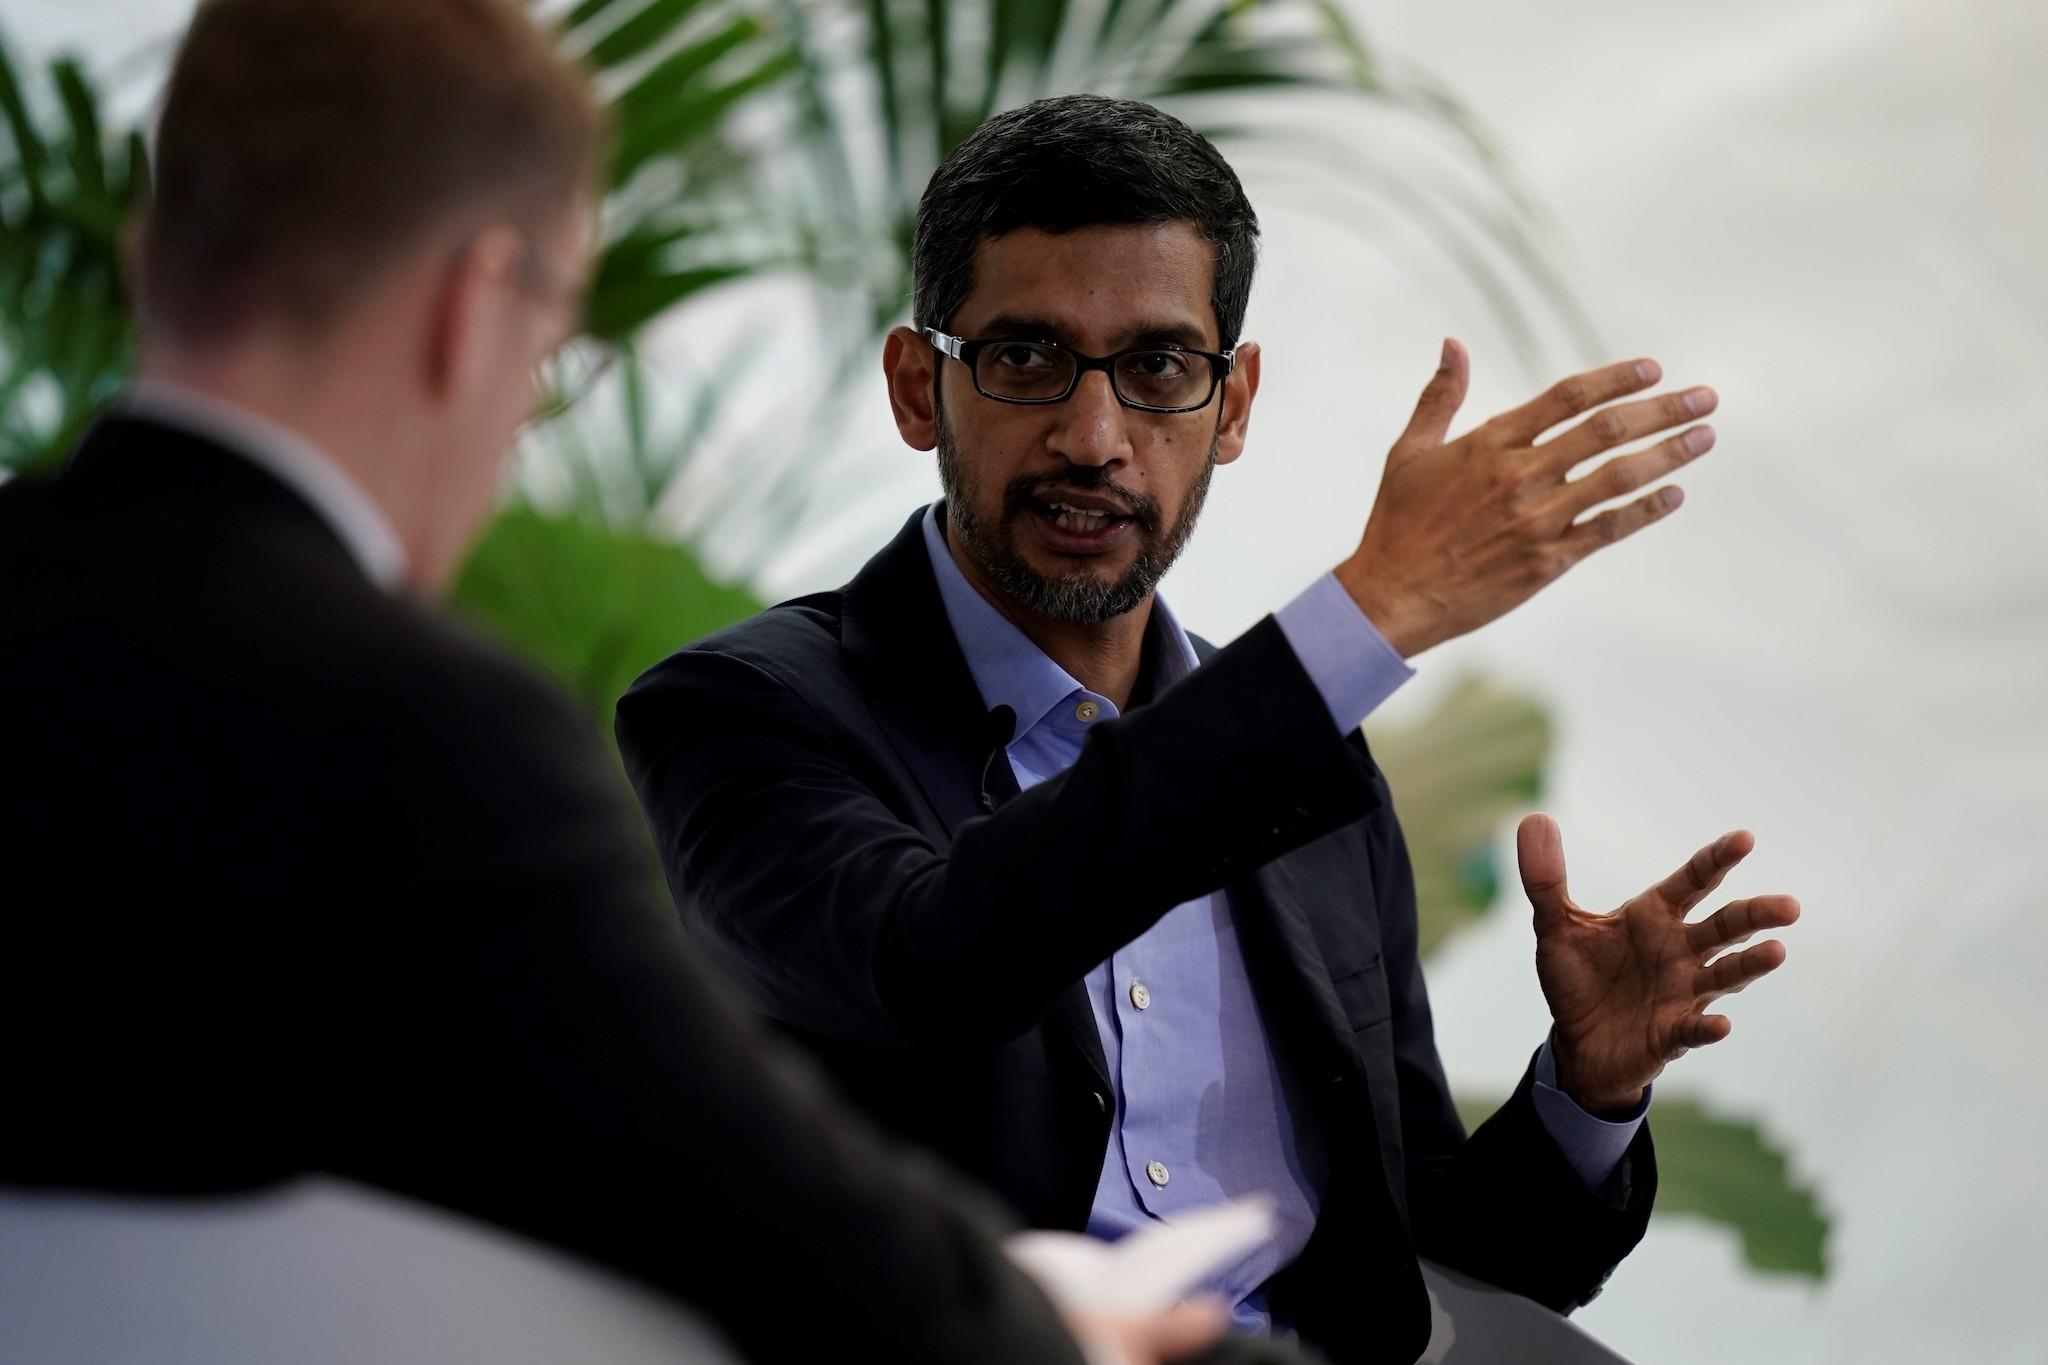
(1201, 1106)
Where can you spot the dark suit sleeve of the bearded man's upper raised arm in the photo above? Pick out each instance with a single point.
(853, 926)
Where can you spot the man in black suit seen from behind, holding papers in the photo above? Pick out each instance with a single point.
(304, 879)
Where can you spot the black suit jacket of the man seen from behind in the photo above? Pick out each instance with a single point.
(302, 879)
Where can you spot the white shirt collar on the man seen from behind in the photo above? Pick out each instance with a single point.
(294, 461)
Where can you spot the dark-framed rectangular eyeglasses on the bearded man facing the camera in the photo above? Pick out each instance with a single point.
(1148, 378)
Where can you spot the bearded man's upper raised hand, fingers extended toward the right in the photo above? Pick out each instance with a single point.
(1463, 531)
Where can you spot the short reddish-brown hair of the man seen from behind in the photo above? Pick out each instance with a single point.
(310, 144)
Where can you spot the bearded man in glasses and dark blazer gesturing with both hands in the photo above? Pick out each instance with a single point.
(1119, 924)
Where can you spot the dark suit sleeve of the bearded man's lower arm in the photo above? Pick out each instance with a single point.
(1502, 1204)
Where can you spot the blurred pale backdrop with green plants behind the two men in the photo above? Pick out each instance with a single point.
(1832, 212)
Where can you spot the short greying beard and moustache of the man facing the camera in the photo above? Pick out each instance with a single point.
(1082, 599)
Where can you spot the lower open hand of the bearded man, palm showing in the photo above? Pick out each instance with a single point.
(1629, 992)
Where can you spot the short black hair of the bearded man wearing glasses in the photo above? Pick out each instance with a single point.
(1070, 163)
